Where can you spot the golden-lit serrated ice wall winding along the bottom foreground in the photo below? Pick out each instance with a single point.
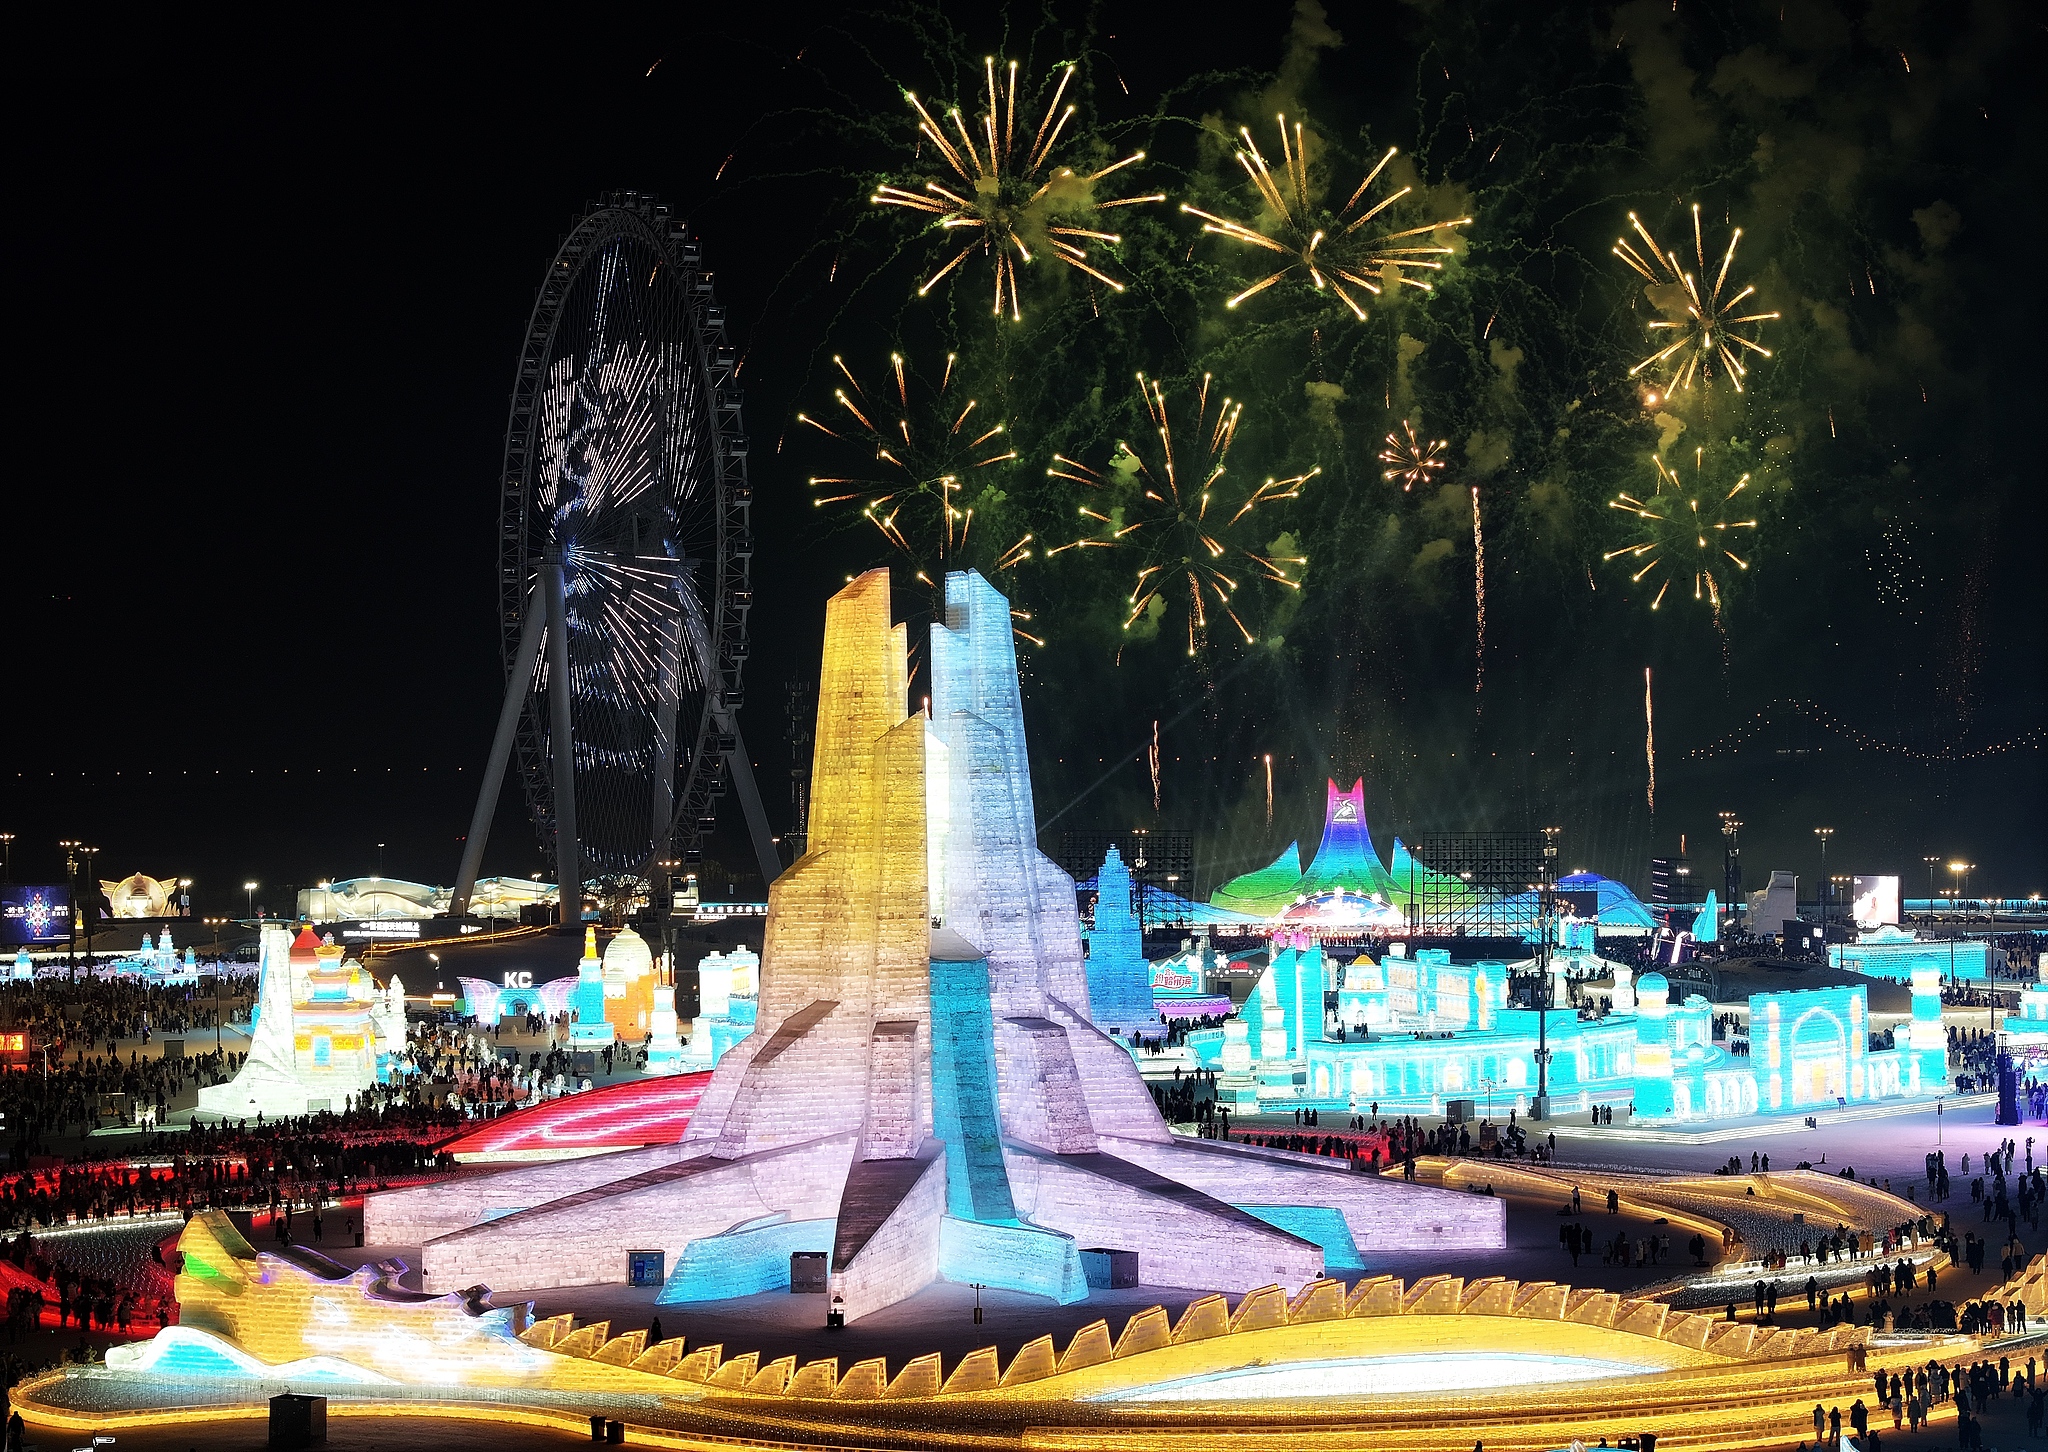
(1701, 1383)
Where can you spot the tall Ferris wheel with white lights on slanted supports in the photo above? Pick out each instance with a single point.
(624, 562)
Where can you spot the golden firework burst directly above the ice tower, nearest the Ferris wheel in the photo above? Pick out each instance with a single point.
(916, 447)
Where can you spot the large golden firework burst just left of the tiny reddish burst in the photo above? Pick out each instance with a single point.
(1177, 523)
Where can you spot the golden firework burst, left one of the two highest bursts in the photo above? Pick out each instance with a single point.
(1017, 206)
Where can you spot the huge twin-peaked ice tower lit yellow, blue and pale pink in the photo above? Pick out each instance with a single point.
(927, 1082)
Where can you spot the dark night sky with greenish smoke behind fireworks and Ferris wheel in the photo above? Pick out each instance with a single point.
(271, 292)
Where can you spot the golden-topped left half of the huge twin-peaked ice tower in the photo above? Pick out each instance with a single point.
(826, 1111)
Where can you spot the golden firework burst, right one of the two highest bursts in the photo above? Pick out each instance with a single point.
(1334, 251)
